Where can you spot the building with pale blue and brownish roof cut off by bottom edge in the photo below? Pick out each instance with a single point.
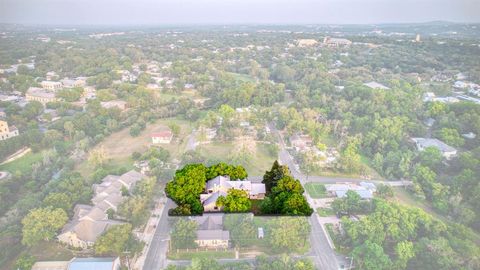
(106, 263)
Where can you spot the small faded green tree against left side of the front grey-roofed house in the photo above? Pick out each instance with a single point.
(184, 234)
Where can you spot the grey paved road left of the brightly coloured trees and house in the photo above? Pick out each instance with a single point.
(157, 254)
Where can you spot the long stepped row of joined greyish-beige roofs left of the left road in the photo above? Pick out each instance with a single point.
(91, 221)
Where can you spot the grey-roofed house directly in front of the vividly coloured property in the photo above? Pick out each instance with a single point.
(210, 233)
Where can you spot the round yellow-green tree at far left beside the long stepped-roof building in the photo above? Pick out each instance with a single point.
(42, 224)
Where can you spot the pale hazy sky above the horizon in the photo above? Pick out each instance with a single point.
(123, 12)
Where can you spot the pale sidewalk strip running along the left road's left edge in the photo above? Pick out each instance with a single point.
(149, 232)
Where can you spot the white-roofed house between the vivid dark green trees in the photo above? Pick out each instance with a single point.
(220, 185)
